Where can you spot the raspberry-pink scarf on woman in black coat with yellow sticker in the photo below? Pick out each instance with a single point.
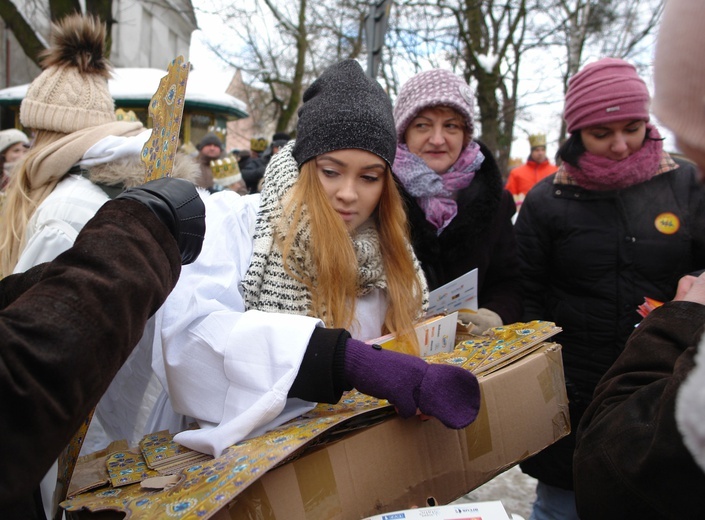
(600, 173)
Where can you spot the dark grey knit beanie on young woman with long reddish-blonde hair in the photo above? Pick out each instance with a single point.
(342, 109)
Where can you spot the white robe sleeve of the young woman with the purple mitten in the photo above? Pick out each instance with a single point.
(229, 369)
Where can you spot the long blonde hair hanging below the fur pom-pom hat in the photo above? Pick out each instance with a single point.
(20, 204)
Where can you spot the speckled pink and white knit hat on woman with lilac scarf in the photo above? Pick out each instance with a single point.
(432, 88)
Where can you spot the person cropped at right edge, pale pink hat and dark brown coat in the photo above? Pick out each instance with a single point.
(644, 433)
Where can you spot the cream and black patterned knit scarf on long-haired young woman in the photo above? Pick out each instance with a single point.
(266, 285)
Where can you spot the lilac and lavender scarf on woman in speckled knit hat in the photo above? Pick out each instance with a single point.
(432, 191)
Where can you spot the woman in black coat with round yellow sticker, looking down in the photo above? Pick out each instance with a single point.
(621, 220)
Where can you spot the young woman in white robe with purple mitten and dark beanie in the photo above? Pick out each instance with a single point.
(256, 330)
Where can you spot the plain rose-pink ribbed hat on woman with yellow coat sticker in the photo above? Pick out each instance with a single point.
(605, 91)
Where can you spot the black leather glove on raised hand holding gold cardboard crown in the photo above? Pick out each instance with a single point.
(178, 206)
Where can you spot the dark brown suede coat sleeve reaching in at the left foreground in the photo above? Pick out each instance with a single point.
(67, 327)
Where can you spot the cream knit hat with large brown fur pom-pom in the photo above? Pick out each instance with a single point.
(72, 91)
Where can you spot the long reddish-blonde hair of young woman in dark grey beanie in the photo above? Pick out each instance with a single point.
(334, 290)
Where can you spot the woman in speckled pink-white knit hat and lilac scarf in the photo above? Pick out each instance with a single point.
(459, 214)
